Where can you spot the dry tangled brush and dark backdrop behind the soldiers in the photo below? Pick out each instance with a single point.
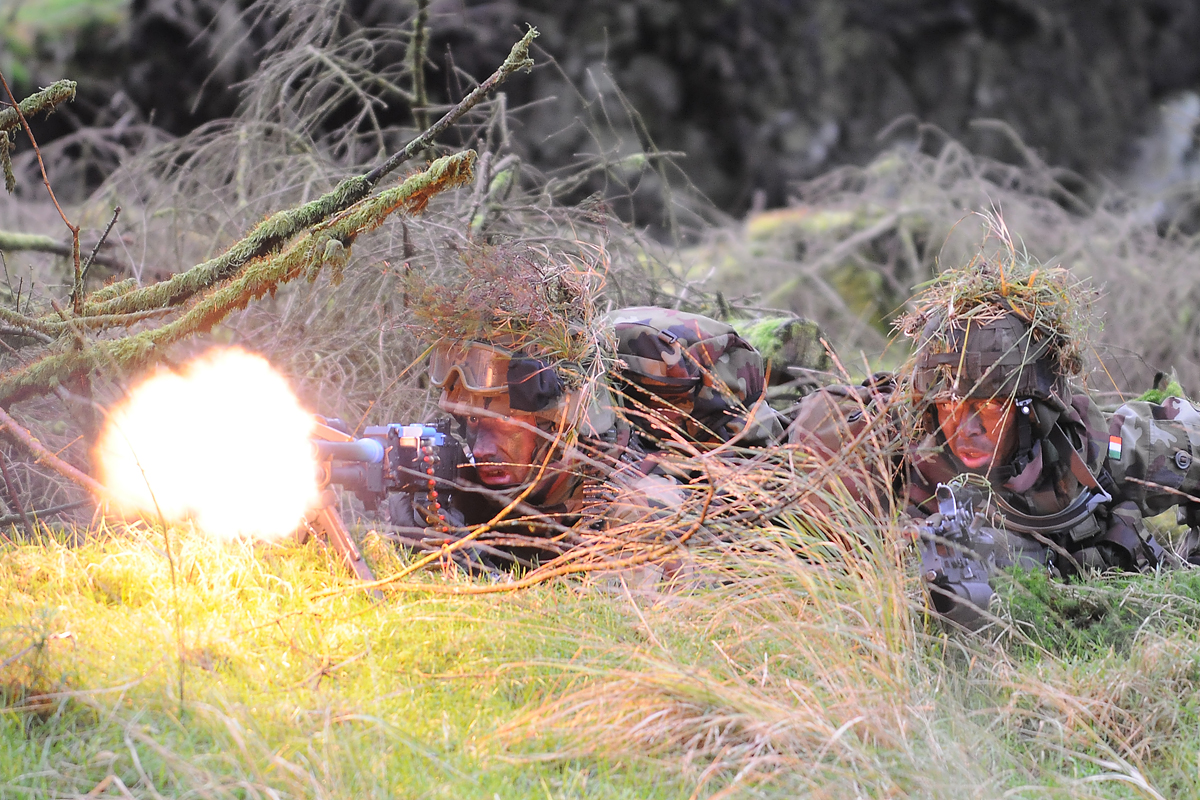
(819, 158)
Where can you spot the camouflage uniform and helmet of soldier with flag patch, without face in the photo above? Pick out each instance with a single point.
(1075, 495)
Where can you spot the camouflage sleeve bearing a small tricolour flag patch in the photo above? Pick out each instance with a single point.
(1151, 454)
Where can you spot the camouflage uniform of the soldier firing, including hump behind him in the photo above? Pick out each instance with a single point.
(608, 473)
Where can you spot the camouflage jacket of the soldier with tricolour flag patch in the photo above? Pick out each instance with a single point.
(1087, 490)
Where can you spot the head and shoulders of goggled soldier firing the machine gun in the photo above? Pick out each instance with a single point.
(536, 438)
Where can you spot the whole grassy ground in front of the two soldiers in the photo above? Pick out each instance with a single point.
(776, 676)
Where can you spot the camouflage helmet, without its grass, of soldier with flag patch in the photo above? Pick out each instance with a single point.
(988, 357)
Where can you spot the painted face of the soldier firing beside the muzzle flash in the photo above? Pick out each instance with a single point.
(503, 442)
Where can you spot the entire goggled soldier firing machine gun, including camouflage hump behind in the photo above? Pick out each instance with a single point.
(545, 456)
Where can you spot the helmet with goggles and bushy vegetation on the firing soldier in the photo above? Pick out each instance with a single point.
(519, 321)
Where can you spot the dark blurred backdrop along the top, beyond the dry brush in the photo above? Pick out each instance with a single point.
(759, 94)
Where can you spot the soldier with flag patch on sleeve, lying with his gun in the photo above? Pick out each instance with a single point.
(1037, 474)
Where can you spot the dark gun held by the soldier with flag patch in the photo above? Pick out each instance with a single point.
(958, 558)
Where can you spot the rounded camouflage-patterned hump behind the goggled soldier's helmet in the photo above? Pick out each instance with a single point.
(698, 365)
